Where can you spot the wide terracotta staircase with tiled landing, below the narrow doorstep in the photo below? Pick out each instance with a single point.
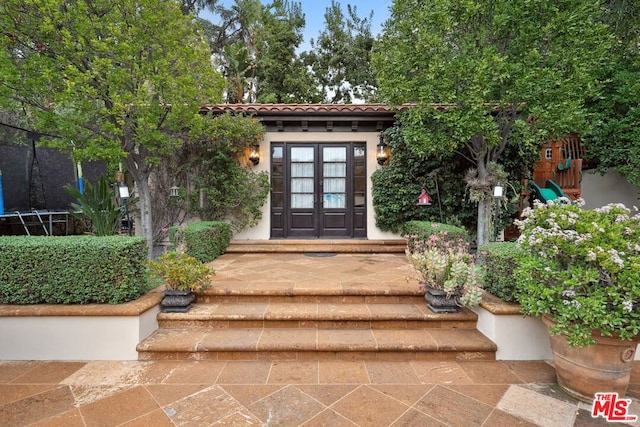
(310, 306)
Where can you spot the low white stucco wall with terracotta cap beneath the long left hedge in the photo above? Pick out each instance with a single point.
(77, 332)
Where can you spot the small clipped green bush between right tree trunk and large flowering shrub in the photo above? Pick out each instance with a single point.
(499, 260)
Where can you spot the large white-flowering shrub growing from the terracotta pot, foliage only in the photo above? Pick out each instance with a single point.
(581, 267)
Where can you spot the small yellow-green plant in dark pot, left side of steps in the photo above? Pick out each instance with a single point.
(182, 275)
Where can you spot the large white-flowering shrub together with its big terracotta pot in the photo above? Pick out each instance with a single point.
(580, 272)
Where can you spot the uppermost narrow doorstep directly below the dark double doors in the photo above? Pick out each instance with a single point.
(317, 246)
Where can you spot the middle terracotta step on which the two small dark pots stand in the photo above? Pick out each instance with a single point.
(311, 315)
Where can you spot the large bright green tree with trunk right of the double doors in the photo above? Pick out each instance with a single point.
(485, 74)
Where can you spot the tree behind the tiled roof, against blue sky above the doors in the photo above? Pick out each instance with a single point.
(341, 55)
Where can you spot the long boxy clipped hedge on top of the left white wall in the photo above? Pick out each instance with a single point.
(72, 269)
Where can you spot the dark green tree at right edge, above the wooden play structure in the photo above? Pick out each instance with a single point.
(615, 140)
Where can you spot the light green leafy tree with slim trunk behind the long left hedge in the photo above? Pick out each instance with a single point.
(122, 81)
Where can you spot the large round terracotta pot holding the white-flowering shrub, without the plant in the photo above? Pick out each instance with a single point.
(584, 371)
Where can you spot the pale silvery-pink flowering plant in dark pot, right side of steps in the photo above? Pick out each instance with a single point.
(446, 272)
